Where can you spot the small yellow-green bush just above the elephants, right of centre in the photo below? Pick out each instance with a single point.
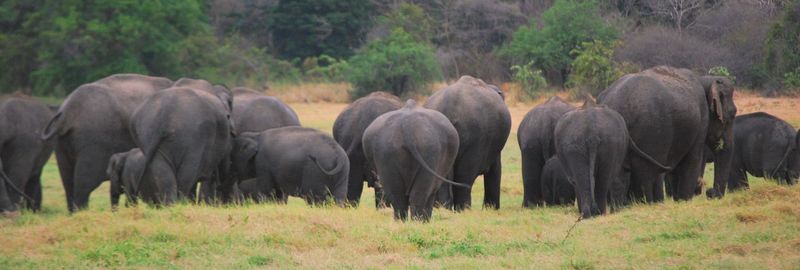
(593, 69)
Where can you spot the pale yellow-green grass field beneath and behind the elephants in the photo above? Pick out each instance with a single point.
(759, 228)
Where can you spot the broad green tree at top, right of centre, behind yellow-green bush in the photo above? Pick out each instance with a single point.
(566, 25)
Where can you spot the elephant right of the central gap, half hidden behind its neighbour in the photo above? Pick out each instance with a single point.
(535, 136)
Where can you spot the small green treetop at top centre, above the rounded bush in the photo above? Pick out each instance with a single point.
(412, 19)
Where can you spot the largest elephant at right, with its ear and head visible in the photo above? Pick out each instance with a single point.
(672, 115)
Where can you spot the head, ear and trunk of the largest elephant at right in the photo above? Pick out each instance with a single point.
(719, 96)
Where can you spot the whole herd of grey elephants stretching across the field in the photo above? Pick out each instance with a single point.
(648, 135)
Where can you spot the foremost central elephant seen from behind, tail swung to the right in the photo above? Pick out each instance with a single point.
(410, 149)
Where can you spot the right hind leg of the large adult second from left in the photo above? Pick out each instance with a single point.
(89, 174)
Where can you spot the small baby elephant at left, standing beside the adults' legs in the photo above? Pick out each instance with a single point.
(124, 170)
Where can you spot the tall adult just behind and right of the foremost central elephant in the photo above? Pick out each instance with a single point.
(479, 114)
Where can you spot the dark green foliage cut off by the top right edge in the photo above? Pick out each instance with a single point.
(782, 57)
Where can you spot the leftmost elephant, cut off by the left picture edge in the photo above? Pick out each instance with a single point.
(22, 153)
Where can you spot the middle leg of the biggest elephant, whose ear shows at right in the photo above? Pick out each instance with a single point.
(687, 173)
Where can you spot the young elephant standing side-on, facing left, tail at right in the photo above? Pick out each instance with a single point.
(294, 161)
